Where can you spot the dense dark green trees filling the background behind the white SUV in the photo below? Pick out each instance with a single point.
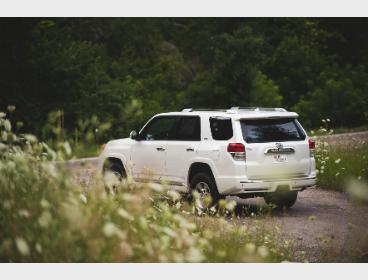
(125, 70)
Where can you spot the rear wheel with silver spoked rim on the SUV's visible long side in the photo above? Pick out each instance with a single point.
(205, 185)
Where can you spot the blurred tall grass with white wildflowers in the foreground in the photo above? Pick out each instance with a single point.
(46, 216)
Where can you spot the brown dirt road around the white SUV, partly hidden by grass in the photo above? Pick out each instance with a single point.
(323, 225)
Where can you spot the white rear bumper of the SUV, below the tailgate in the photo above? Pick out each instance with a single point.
(244, 186)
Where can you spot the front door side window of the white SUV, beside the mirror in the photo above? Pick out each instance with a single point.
(160, 128)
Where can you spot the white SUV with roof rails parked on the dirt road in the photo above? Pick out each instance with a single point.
(244, 152)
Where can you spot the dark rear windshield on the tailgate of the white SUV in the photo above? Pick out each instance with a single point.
(271, 130)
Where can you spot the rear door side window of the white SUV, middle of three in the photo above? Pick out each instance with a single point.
(188, 129)
